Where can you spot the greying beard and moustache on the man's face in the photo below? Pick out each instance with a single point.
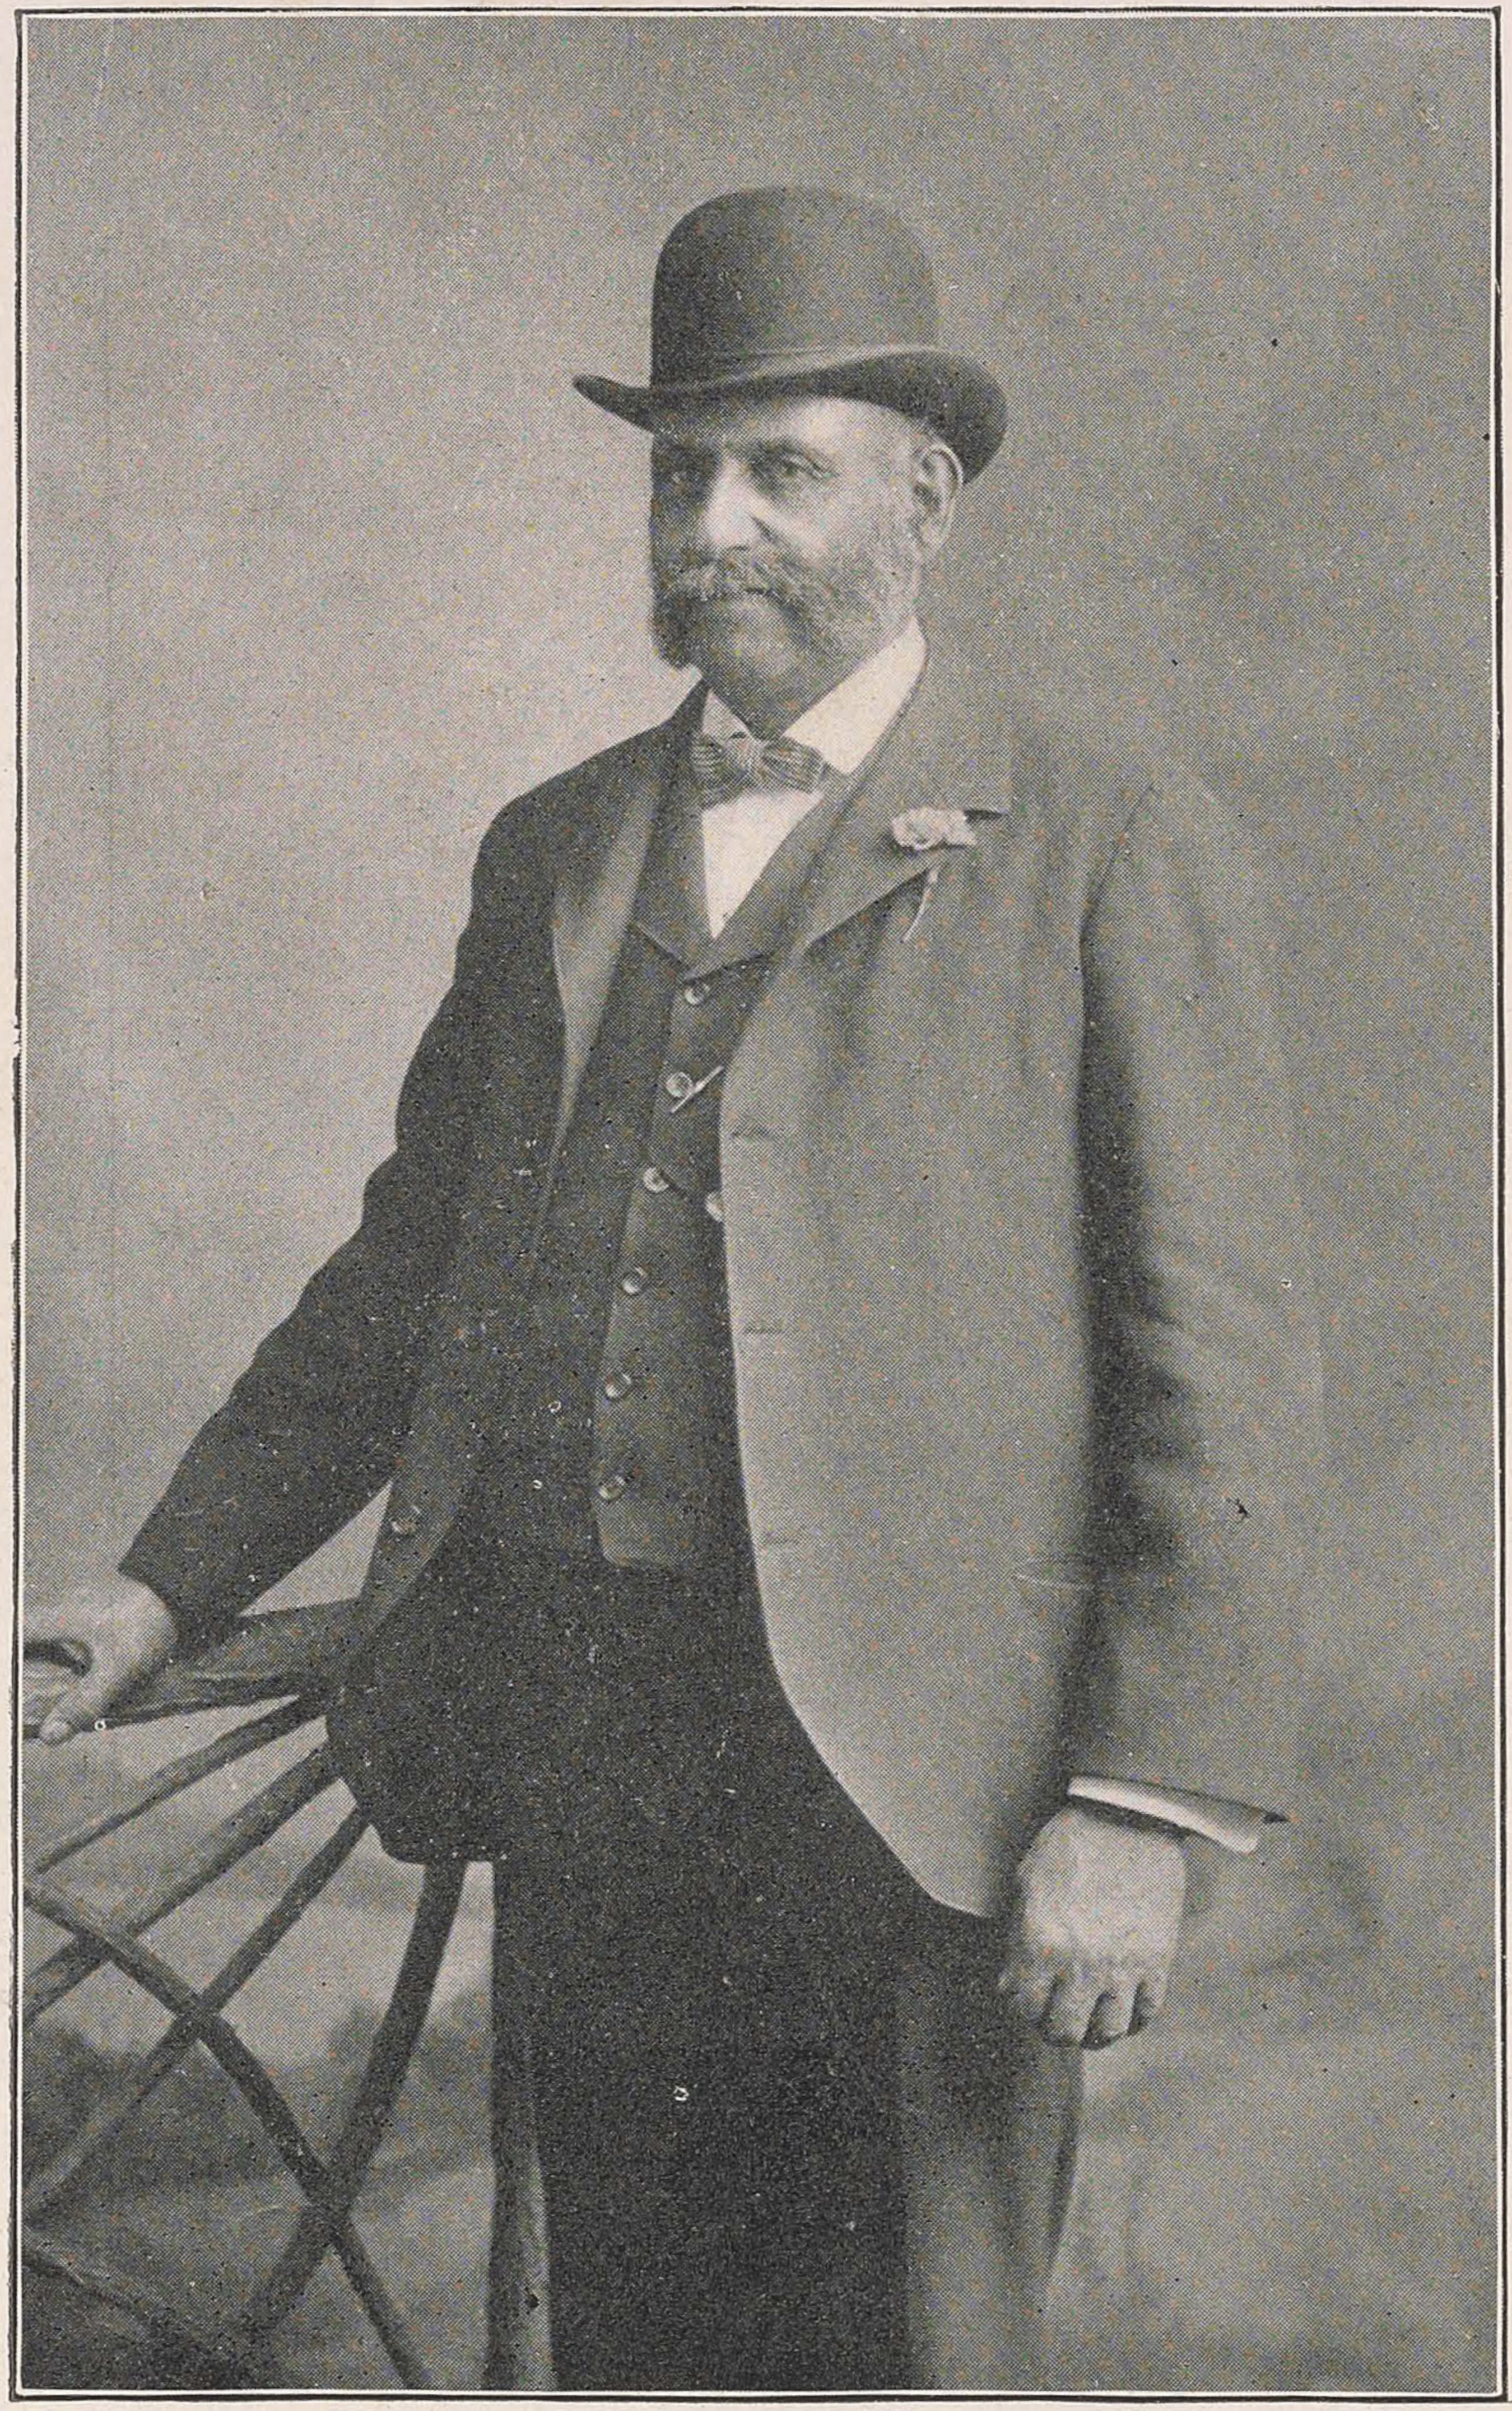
(761, 616)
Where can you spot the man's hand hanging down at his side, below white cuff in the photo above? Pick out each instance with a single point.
(1096, 1928)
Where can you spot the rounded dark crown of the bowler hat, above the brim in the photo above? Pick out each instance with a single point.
(756, 278)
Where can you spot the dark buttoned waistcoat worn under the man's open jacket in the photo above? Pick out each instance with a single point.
(621, 1438)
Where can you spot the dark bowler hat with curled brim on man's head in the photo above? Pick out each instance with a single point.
(804, 293)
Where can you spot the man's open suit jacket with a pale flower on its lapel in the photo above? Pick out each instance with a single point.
(1016, 1277)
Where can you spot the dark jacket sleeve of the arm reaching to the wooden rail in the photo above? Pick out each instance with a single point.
(315, 1426)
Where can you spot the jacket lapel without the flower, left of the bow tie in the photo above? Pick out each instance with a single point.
(597, 888)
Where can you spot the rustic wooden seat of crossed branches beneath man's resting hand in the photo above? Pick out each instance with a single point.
(269, 1660)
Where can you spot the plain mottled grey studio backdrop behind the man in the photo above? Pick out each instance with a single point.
(327, 563)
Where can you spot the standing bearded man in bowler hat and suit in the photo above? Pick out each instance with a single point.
(833, 1325)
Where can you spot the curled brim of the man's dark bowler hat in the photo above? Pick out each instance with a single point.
(954, 394)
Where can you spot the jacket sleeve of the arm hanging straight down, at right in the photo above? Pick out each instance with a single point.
(1205, 1342)
